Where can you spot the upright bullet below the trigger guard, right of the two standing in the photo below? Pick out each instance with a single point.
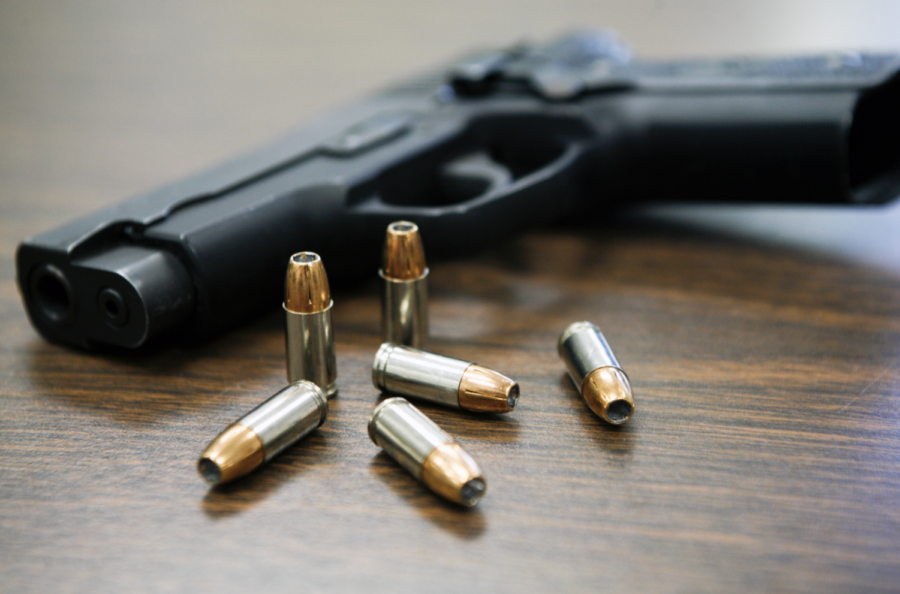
(404, 283)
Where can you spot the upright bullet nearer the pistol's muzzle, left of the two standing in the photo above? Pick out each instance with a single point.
(309, 341)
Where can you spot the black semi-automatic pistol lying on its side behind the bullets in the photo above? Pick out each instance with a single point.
(473, 152)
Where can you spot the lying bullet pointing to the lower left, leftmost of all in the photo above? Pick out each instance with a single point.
(263, 433)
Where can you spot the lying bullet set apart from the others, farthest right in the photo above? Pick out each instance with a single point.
(596, 372)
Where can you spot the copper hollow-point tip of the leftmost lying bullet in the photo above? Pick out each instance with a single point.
(234, 453)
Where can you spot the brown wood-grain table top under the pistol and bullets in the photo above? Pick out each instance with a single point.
(764, 454)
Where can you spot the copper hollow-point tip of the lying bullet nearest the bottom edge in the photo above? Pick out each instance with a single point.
(452, 473)
